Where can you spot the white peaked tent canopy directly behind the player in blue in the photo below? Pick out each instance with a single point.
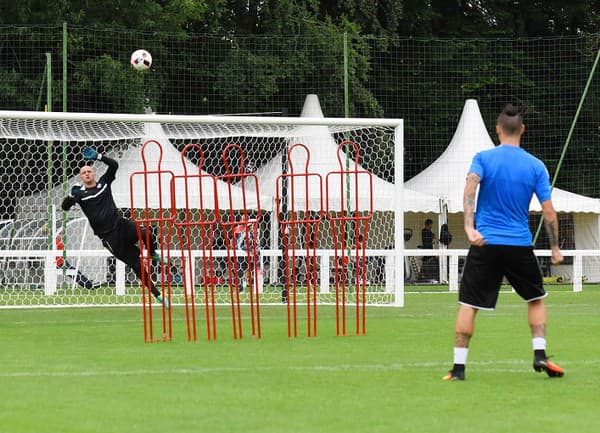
(445, 177)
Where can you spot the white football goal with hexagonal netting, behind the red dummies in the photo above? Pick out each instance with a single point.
(48, 147)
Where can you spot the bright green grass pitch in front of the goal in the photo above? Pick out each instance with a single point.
(88, 370)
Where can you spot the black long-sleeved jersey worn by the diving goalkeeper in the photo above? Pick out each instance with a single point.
(97, 203)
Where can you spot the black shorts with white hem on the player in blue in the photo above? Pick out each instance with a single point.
(485, 267)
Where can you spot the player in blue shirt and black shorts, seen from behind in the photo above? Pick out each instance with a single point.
(501, 242)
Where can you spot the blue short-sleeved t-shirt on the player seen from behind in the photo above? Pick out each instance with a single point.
(509, 178)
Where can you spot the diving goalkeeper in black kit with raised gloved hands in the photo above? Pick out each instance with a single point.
(118, 235)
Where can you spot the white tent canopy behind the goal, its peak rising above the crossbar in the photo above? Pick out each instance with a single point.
(323, 160)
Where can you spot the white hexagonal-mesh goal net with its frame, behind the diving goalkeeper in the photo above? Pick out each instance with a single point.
(51, 257)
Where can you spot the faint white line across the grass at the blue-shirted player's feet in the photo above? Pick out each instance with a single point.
(316, 368)
